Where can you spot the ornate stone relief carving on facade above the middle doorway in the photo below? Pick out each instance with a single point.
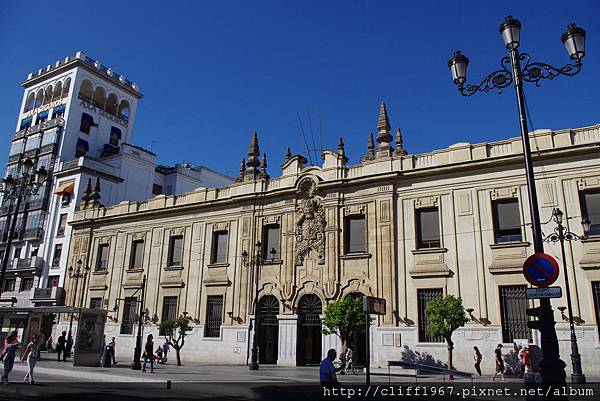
(310, 224)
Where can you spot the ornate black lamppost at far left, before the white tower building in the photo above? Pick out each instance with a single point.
(27, 182)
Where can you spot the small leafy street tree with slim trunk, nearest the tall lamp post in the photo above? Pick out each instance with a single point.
(444, 316)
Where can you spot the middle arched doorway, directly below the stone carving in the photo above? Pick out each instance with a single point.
(308, 343)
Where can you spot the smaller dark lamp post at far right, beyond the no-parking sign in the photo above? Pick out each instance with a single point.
(561, 235)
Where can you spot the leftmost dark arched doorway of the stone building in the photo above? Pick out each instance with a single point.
(268, 330)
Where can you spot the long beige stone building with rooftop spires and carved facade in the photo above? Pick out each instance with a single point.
(403, 227)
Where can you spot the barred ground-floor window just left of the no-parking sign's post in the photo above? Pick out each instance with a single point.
(513, 305)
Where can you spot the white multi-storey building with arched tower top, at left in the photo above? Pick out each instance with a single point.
(76, 119)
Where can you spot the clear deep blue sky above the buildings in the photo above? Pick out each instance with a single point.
(212, 72)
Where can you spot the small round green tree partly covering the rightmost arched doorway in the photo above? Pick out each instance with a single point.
(343, 318)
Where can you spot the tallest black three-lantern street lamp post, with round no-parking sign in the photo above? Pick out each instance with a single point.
(511, 72)
